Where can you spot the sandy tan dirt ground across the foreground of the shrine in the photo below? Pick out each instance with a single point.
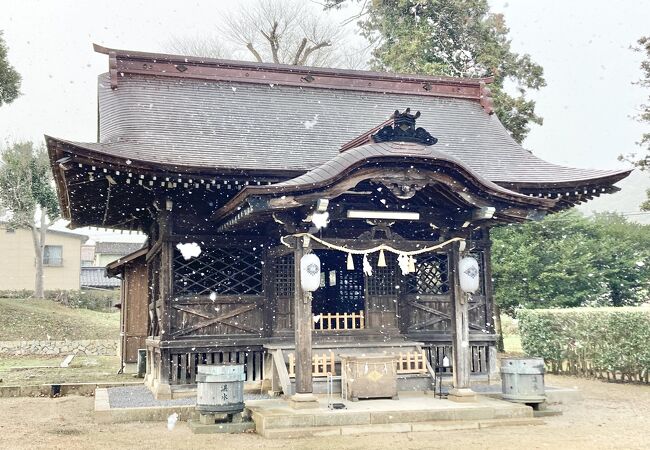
(610, 416)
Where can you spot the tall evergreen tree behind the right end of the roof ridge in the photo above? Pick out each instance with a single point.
(459, 38)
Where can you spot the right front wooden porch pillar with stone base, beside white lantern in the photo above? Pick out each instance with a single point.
(461, 362)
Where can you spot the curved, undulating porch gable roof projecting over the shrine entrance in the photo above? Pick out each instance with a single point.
(396, 159)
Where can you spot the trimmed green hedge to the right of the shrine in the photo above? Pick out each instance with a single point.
(589, 341)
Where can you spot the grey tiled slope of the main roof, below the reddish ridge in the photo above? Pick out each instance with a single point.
(185, 123)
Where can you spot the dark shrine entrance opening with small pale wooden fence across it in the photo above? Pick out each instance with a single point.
(340, 301)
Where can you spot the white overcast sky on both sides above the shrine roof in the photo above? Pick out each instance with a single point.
(583, 46)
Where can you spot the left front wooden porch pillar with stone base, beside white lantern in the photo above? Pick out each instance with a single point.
(304, 396)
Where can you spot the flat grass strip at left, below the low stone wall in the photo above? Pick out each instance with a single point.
(18, 370)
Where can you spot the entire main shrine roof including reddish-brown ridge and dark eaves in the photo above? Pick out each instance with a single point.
(176, 115)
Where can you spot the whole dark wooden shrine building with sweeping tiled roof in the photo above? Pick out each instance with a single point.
(238, 162)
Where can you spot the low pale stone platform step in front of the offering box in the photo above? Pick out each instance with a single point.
(412, 412)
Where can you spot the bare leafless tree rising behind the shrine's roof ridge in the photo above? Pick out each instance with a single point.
(294, 32)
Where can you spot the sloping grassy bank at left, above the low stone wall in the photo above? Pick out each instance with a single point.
(33, 319)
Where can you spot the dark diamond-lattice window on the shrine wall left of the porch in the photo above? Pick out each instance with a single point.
(224, 271)
